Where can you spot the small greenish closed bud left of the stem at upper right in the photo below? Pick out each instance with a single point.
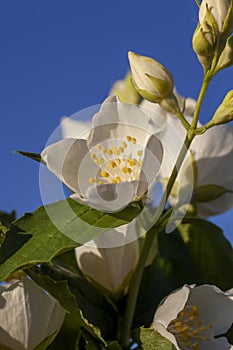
(204, 43)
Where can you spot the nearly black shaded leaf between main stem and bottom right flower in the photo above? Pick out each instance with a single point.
(173, 266)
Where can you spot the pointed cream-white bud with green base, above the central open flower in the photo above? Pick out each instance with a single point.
(151, 79)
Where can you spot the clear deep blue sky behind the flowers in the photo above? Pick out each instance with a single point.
(58, 57)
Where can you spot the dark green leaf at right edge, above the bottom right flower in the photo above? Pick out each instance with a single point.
(210, 250)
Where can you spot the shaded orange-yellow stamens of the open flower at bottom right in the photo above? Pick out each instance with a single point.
(188, 328)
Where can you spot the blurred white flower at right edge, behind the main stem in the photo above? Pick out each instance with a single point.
(213, 156)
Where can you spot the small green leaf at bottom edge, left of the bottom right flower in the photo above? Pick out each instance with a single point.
(149, 339)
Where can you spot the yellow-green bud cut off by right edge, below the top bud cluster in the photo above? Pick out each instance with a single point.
(224, 112)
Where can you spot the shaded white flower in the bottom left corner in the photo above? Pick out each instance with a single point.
(28, 315)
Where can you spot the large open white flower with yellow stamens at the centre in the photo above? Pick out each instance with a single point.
(115, 164)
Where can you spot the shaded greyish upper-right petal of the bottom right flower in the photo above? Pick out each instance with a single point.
(215, 307)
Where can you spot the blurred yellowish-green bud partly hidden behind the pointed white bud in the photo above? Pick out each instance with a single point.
(126, 91)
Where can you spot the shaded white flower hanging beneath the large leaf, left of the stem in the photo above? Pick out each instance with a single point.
(109, 260)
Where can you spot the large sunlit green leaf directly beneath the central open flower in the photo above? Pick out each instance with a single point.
(41, 237)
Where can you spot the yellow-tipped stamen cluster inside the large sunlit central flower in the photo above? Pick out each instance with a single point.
(118, 162)
